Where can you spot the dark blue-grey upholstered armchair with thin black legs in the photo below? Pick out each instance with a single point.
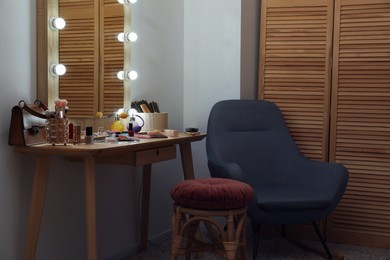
(248, 140)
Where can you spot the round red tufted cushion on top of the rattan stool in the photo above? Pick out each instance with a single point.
(212, 193)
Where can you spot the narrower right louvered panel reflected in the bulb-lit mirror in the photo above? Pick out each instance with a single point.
(112, 95)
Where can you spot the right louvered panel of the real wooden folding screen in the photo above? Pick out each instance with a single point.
(360, 132)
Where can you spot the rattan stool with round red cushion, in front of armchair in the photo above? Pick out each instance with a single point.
(205, 200)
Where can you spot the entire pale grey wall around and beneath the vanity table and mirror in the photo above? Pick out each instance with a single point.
(187, 57)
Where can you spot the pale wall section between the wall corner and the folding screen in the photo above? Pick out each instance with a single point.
(211, 63)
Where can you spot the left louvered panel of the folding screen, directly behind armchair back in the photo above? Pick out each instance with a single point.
(294, 68)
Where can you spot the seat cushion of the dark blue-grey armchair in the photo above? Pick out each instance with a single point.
(287, 197)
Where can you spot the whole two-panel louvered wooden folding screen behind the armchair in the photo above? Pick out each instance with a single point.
(327, 65)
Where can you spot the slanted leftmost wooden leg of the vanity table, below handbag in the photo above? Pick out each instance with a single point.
(41, 178)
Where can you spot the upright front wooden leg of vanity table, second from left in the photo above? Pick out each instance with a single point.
(90, 202)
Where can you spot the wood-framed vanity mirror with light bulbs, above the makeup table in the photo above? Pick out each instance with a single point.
(89, 49)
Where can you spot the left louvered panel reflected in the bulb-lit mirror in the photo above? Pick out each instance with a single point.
(78, 52)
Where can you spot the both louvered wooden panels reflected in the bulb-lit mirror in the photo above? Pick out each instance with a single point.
(92, 54)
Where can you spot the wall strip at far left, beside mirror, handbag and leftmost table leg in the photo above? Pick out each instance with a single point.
(17, 77)
